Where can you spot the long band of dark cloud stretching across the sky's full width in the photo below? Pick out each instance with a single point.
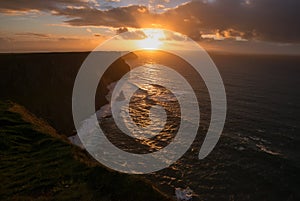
(266, 20)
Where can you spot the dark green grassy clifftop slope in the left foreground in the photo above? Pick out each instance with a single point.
(39, 164)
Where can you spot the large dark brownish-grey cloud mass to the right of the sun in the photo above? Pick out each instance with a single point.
(270, 20)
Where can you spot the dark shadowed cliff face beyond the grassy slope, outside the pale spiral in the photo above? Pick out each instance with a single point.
(43, 83)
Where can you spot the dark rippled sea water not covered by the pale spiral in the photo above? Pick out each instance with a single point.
(257, 156)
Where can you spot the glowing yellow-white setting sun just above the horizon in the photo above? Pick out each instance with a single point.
(153, 39)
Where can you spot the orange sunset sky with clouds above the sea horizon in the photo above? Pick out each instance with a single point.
(243, 26)
